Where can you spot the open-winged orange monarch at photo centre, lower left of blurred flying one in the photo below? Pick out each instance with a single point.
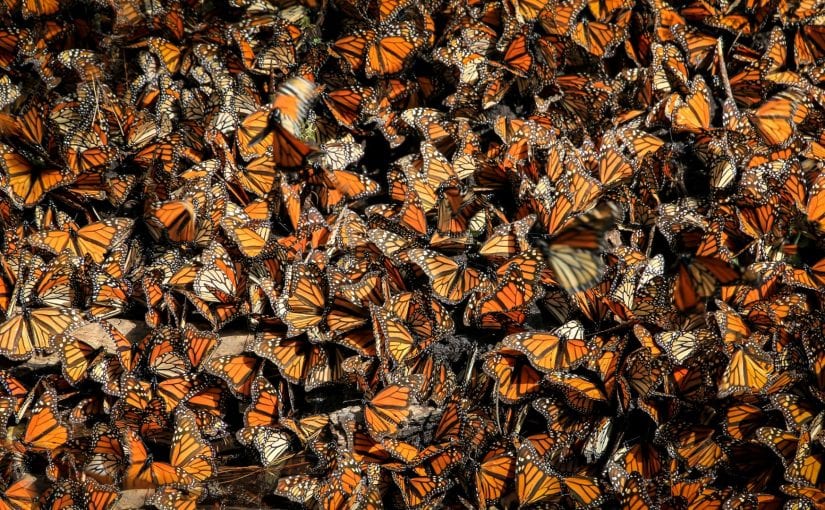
(451, 281)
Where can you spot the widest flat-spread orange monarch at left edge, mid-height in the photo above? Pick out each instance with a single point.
(95, 239)
